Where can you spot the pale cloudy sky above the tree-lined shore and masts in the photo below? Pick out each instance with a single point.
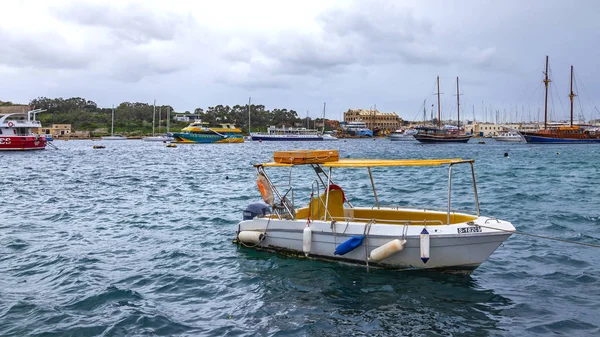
(299, 54)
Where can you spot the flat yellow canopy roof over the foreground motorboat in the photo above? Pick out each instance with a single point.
(348, 163)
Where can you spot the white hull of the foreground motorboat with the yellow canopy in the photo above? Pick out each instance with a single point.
(449, 249)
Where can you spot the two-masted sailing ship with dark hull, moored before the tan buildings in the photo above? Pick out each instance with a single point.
(427, 134)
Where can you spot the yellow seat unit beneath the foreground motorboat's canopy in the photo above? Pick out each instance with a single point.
(316, 209)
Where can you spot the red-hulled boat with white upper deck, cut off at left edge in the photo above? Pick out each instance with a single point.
(15, 132)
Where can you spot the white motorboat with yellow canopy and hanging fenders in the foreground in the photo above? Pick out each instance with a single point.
(331, 228)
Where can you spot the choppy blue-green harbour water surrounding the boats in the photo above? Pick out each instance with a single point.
(135, 239)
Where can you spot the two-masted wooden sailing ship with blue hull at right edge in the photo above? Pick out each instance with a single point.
(561, 134)
